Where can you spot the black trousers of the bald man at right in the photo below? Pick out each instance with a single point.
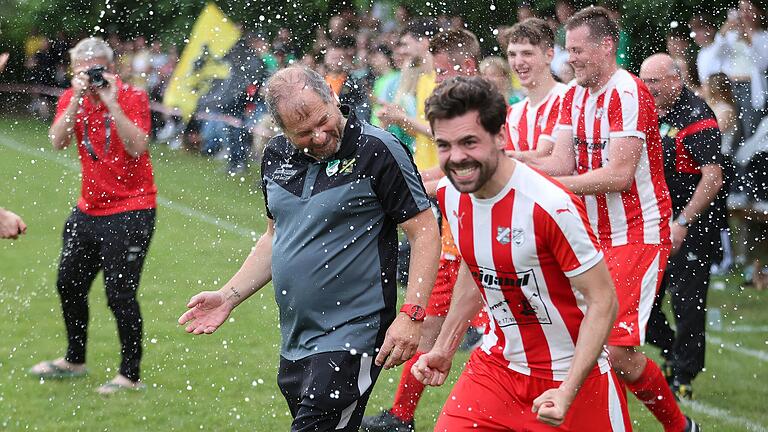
(687, 281)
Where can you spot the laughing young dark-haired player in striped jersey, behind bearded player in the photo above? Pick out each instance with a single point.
(531, 122)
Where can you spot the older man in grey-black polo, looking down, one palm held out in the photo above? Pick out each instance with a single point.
(336, 189)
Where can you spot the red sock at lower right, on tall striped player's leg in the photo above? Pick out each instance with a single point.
(652, 390)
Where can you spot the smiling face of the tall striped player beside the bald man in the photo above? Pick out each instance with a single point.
(587, 56)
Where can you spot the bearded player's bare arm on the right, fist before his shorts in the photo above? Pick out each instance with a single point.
(599, 294)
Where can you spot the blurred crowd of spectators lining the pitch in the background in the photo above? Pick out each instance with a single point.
(374, 62)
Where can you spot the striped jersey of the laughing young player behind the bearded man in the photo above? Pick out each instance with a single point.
(527, 124)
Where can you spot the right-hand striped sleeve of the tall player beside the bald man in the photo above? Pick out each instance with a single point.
(628, 111)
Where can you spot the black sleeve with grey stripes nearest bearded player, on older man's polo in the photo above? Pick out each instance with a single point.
(397, 183)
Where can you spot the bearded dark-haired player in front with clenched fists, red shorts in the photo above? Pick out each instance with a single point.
(532, 258)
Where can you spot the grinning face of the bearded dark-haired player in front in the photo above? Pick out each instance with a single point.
(469, 155)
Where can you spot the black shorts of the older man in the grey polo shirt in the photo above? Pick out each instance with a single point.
(327, 391)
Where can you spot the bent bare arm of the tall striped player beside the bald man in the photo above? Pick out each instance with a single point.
(615, 176)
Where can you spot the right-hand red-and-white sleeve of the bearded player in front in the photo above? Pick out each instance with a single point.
(568, 235)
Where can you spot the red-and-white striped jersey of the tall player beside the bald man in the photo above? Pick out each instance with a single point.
(623, 108)
